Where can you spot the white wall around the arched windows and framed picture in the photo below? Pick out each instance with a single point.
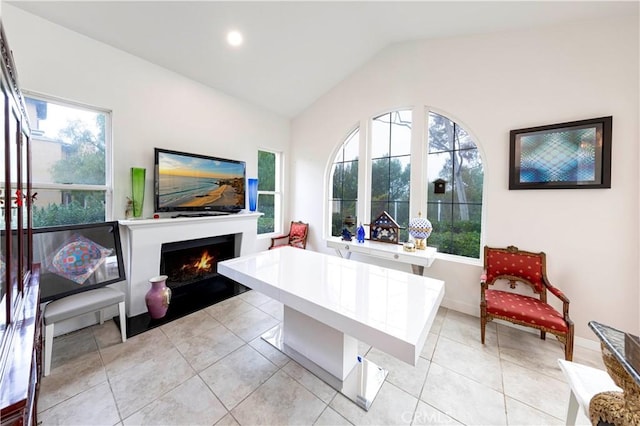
(492, 84)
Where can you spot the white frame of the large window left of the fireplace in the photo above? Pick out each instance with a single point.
(107, 188)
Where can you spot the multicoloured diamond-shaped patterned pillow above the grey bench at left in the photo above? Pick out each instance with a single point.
(77, 259)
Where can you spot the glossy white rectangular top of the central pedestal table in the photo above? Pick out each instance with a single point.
(388, 309)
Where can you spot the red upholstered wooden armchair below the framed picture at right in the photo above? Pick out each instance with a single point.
(517, 266)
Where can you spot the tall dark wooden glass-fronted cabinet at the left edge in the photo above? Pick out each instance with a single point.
(20, 319)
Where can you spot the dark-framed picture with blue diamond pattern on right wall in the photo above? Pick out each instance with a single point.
(571, 155)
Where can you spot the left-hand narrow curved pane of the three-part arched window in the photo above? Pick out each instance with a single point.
(344, 183)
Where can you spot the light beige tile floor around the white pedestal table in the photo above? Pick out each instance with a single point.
(212, 368)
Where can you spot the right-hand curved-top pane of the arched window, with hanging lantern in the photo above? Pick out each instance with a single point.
(456, 214)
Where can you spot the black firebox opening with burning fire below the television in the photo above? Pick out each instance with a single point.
(188, 262)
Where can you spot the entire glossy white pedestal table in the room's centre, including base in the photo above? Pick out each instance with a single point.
(330, 303)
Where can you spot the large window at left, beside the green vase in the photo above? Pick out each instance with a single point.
(70, 144)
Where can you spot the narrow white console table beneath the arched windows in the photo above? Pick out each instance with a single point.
(417, 259)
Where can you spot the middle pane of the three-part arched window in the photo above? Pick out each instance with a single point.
(391, 167)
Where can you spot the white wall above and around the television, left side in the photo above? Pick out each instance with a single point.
(152, 107)
